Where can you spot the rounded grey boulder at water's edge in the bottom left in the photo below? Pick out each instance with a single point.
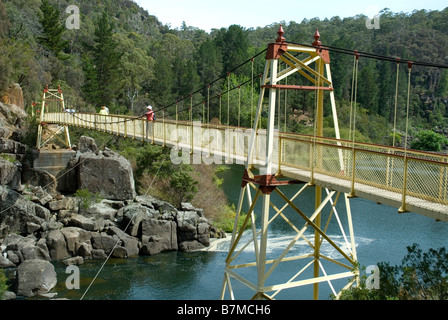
(35, 277)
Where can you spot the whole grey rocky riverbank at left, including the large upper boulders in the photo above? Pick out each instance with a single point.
(40, 224)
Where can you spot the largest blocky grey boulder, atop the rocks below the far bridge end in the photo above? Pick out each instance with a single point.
(108, 174)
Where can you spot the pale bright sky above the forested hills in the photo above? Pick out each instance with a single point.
(213, 14)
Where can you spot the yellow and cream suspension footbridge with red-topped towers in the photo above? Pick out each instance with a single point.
(409, 180)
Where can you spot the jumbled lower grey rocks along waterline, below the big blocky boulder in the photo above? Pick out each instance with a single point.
(38, 229)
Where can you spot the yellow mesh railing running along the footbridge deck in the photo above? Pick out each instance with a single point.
(410, 173)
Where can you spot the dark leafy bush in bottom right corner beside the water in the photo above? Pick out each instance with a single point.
(421, 276)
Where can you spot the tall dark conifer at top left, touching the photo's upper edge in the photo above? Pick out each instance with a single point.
(52, 30)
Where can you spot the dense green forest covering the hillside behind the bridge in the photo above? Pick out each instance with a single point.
(124, 57)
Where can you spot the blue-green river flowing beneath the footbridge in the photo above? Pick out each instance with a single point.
(382, 235)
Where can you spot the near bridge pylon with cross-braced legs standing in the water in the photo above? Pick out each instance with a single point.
(314, 250)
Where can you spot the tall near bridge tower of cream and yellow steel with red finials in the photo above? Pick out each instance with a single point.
(256, 275)
